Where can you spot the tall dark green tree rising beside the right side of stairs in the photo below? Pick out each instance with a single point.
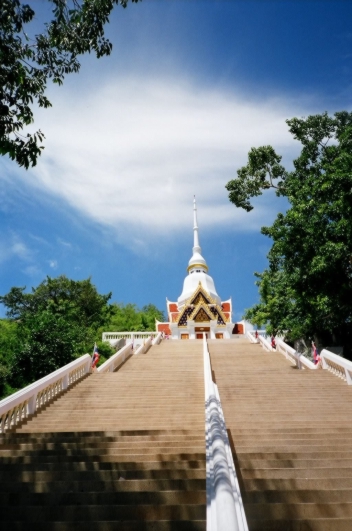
(307, 288)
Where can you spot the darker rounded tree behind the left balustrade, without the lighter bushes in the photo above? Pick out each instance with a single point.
(56, 322)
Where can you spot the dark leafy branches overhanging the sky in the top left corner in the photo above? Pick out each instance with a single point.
(27, 64)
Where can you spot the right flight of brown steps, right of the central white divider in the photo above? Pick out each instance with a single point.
(291, 435)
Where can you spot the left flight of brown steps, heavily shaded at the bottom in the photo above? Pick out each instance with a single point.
(120, 451)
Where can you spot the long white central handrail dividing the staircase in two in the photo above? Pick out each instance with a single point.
(224, 503)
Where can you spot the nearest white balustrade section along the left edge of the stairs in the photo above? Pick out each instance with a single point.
(19, 405)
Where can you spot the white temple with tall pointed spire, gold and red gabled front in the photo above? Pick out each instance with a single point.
(199, 308)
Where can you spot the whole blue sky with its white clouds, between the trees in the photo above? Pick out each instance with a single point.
(190, 87)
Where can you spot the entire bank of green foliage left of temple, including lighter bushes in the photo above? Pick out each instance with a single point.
(56, 322)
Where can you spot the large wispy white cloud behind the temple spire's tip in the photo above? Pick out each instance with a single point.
(132, 155)
